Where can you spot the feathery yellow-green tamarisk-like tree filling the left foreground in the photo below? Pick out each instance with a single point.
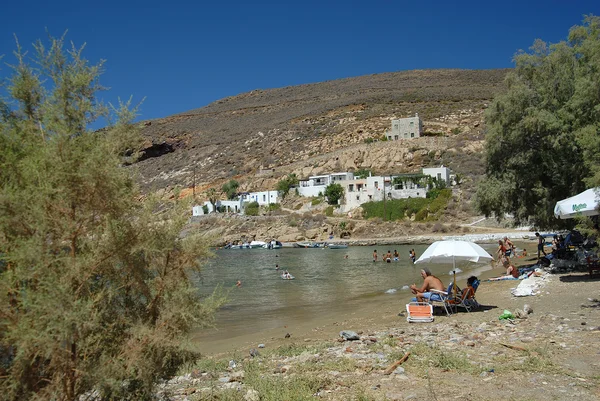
(95, 289)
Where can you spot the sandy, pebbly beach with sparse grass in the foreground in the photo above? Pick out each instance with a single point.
(552, 353)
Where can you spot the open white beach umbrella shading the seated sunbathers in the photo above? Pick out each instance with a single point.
(452, 251)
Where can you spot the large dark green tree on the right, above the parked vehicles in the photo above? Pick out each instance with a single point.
(543, 141)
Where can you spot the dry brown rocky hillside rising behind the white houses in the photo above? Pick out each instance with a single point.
(260, 136)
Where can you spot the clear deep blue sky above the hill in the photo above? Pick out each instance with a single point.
(182, 55)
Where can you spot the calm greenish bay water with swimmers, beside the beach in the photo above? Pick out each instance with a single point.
(325, 284)
